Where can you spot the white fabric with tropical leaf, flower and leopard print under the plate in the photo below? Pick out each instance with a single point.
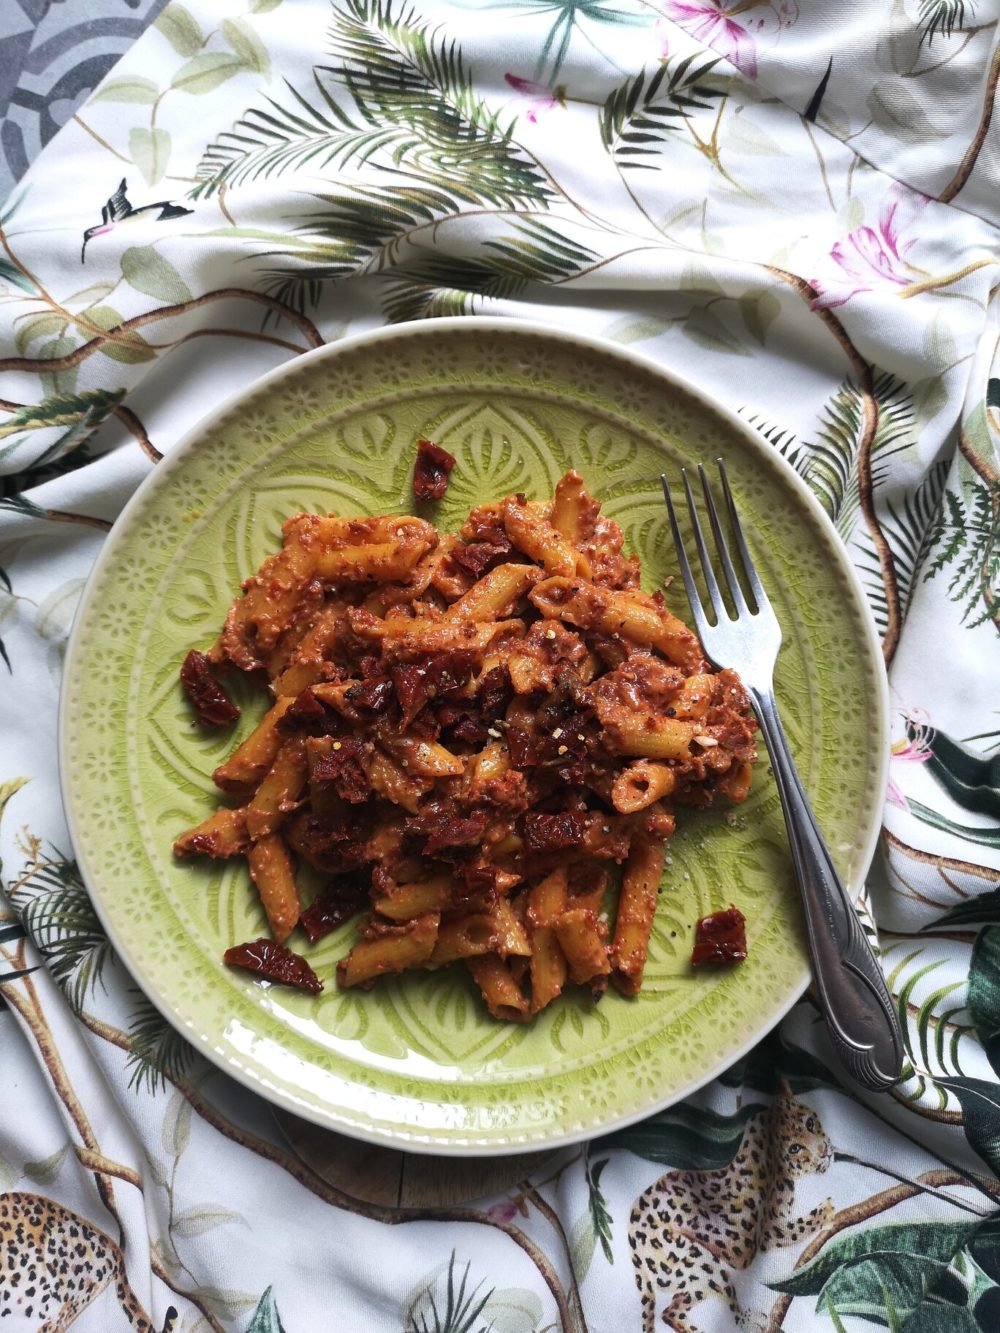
(795, 207)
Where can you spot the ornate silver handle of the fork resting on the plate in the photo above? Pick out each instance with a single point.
(854, 998)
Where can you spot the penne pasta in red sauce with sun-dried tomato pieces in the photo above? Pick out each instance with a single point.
(479, 739)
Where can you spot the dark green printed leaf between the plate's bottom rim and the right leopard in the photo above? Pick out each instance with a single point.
(686, 1138)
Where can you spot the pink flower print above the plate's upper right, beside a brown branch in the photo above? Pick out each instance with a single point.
(873, 257)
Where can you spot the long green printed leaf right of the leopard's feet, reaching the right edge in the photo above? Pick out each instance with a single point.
(930, 1243)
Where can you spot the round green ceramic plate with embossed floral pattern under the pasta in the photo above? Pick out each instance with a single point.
(417, 1063)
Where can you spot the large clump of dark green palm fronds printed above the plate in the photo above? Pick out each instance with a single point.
(398, 142)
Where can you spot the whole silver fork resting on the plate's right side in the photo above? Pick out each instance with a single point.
(853, 992)
